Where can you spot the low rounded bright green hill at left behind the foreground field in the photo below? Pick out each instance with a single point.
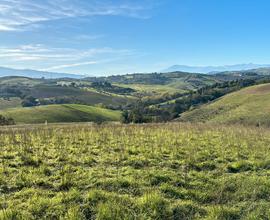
(61, 113)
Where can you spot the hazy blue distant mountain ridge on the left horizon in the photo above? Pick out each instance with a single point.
(36, 74)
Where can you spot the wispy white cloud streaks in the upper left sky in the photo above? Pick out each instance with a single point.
(20, 14)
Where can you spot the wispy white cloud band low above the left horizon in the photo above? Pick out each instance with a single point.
(39, 56)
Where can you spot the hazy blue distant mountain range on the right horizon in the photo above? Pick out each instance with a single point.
(215, 69)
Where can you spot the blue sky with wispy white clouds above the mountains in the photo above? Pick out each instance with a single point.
(105, 37)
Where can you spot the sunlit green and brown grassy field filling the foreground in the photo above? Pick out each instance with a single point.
(166, 171)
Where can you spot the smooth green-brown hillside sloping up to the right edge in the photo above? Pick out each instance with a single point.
(249, 106)
